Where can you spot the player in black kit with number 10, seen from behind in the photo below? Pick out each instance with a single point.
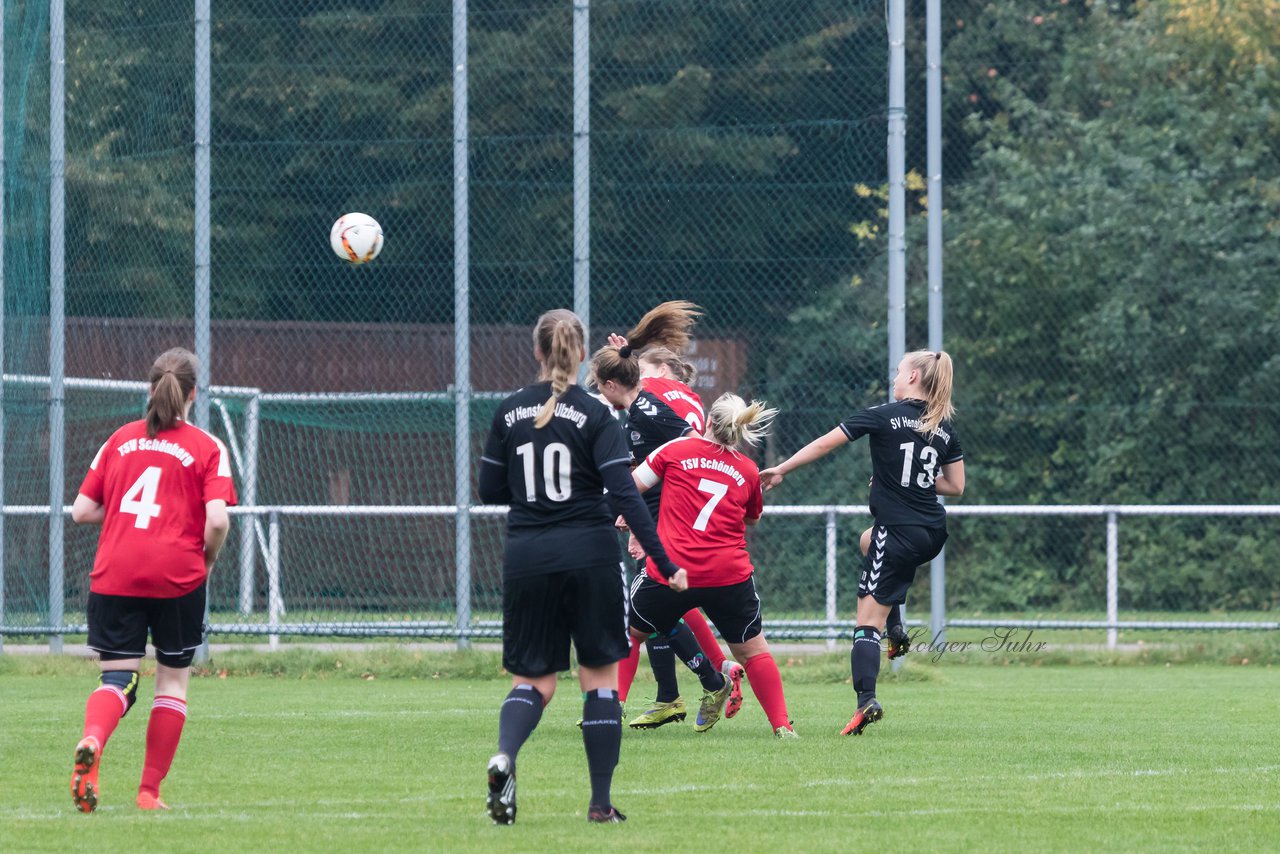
(552, 453)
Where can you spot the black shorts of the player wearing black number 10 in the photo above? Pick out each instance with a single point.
(542, 613)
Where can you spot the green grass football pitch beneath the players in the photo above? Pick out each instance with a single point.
(387, 753)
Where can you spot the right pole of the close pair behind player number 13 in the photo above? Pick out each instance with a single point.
(934, 154)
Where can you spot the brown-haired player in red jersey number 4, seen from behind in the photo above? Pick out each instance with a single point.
(159, 488)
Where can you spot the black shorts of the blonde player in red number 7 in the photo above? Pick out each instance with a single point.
(734, 610)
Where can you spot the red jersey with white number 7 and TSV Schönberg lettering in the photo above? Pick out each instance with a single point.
(708, 494)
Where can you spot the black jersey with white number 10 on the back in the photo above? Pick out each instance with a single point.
(560, 518)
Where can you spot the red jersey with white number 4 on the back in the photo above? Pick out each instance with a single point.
(154, 492)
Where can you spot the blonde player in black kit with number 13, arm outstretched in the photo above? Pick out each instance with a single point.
(916, 458)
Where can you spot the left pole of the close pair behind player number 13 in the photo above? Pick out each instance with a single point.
(897, 195)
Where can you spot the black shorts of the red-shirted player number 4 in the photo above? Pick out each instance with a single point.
(118, 627)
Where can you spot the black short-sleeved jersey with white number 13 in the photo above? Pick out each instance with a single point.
(904, 462)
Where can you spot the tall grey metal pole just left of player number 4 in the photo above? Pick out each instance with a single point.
(57, 314)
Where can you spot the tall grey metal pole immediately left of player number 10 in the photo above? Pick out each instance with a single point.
(461, 332)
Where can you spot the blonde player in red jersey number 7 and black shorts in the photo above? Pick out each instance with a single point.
(711, 495)
